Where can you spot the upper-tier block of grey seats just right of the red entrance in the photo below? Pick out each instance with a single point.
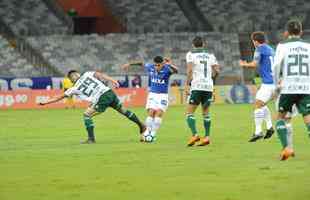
(149, 16)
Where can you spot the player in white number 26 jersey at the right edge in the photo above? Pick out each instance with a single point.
(292, 67)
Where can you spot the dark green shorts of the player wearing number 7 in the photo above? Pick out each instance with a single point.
(200, 97)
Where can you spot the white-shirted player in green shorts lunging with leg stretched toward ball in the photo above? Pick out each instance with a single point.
(90, 87)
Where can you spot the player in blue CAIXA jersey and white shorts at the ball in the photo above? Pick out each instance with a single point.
(159, 74)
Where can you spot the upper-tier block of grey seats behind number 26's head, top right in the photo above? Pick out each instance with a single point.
(251, 15)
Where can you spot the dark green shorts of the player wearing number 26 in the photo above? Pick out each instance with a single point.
(302, 102)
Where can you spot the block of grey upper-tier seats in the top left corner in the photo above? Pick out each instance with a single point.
(31, 17)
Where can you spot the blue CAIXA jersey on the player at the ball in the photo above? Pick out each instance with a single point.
(158, 81)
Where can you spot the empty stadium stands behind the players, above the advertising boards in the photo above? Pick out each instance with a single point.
(48, 37)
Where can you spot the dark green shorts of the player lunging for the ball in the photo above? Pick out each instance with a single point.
(108, 99)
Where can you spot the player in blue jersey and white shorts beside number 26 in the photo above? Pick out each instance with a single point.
(263, 60)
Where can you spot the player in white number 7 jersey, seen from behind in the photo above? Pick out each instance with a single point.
(202, 67)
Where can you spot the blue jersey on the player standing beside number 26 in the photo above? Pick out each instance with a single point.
(263, 56)
